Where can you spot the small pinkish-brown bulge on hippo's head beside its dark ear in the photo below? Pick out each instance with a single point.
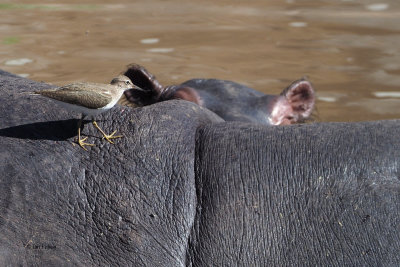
(181, 92)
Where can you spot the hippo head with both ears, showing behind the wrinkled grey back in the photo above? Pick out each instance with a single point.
(230, 100)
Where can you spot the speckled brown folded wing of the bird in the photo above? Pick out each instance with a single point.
(81, 95)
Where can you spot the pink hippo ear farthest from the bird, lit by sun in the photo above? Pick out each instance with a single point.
(294, 104)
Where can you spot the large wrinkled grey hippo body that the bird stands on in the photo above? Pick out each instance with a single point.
(183, 187)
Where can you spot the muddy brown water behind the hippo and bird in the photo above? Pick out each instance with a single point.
(349, 50)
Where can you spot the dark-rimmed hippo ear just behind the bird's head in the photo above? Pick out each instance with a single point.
(142, 78)
